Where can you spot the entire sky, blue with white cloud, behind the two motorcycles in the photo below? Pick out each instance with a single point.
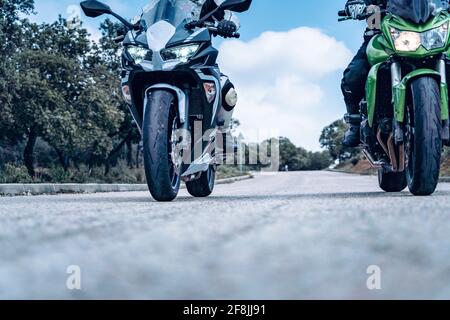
(287, 66)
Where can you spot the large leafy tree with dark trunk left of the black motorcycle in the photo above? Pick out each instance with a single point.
(64, 96)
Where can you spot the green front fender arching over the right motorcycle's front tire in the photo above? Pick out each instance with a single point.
(399, 92)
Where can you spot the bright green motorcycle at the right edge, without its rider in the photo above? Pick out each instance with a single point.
(405, 115)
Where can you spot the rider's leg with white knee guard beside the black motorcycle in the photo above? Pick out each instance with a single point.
(225, 115)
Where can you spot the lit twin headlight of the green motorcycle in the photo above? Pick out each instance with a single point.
(409, 41)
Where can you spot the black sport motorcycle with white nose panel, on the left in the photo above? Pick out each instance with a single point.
(171, 81)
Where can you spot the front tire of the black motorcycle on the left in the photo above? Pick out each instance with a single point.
(160, 120)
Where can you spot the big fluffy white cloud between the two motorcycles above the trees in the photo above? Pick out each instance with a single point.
(279, 77)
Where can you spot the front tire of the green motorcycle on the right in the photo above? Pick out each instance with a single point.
(424, 137)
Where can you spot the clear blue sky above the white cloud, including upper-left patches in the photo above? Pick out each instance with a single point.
(264, 15)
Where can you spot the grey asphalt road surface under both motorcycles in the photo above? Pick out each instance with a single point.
(285, 236)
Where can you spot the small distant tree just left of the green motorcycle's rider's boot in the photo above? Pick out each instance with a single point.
(331, 139)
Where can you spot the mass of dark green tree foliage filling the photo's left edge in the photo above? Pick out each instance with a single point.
(58, 86)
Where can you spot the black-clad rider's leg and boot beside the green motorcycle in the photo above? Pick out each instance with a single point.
(353, 88)
